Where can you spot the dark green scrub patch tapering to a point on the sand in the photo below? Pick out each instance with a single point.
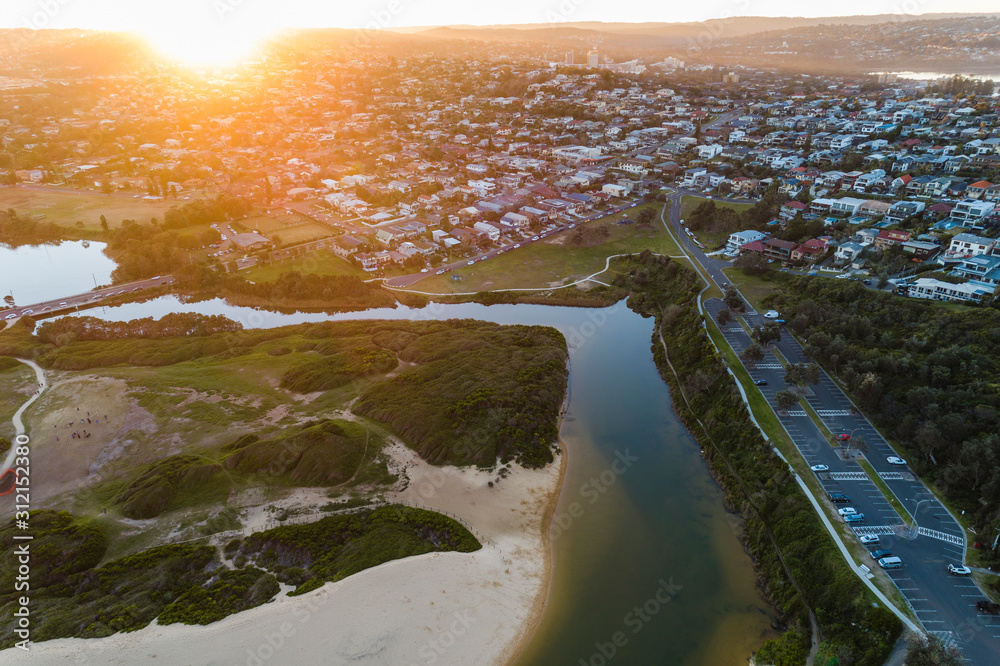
(335, 547)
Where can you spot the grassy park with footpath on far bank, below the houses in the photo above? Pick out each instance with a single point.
(556, 260)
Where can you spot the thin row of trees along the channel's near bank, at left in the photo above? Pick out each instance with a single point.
(64, 330)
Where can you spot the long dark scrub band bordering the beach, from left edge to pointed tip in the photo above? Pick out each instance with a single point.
(71, 596)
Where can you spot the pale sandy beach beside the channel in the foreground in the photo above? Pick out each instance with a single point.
(440, 608)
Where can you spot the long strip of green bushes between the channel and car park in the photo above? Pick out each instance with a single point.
(757, 483)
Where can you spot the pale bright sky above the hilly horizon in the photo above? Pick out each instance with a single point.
(216, 28)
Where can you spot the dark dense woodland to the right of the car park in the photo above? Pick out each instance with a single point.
(927, 374)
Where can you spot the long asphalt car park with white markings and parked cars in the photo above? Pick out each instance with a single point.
(944, 604)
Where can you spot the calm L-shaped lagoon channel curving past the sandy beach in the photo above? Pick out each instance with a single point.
(648, 567)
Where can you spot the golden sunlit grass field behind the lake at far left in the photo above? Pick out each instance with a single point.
(69, 208)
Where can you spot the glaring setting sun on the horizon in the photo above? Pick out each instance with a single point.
(208, 46)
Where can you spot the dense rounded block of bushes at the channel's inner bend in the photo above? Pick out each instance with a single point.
(447, 409)
